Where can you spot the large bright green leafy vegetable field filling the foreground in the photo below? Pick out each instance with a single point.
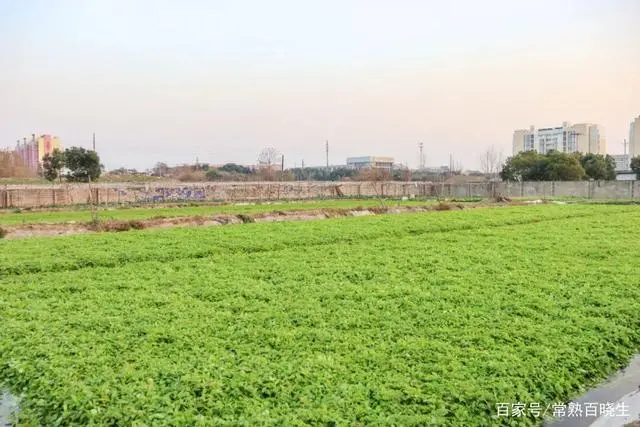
(411, 319)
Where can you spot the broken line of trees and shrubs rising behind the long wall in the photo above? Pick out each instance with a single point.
(77, 164)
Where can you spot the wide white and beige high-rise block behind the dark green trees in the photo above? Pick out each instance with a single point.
(582, 137)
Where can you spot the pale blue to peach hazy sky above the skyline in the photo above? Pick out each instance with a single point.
(219, 80)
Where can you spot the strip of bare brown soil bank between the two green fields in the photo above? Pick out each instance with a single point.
(20, 231)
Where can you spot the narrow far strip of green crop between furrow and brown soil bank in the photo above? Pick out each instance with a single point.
(77, 252)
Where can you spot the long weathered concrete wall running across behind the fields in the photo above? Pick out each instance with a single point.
(70, 194)
